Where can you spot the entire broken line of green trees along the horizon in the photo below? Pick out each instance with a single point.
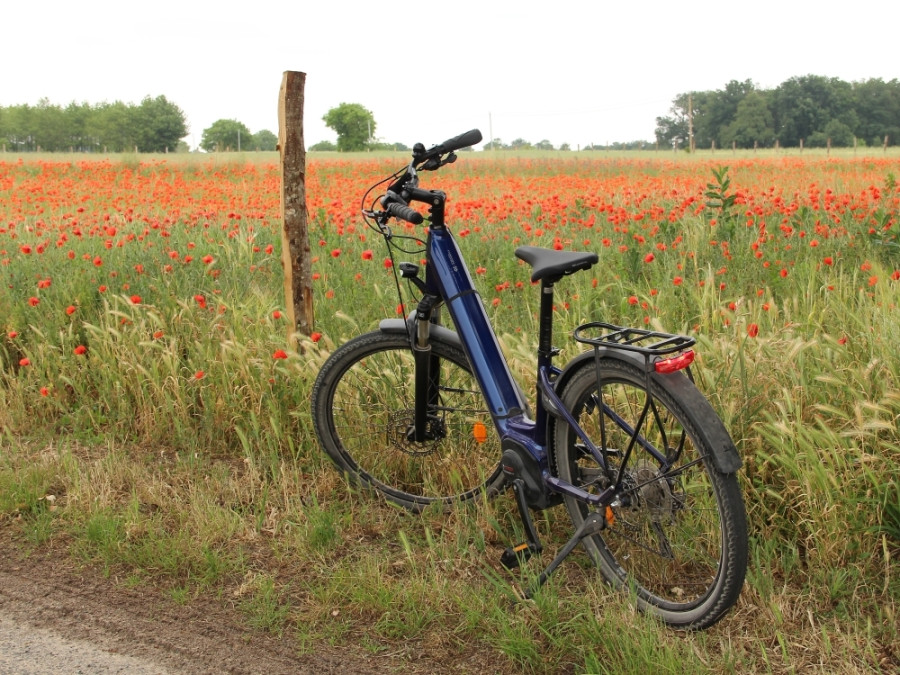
(810, 111)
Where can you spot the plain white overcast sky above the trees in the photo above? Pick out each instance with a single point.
(570, 71)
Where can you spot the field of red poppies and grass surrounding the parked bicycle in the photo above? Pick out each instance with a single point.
(142, 309)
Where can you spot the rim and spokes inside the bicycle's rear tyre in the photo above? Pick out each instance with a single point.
(664, 540)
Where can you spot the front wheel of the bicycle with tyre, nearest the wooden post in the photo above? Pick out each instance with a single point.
(363, 405)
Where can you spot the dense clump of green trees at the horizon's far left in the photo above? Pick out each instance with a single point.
(154, 125)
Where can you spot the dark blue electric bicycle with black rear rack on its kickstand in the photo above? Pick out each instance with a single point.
(620, 435)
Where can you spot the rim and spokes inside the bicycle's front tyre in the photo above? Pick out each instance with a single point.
(371, 415)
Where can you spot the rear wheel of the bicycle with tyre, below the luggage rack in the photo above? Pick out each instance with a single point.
(676, 534)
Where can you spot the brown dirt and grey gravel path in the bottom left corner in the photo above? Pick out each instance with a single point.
(79, 614)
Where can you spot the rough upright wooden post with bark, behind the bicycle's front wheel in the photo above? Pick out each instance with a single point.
(295, 254)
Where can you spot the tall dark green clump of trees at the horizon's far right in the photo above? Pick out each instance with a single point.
(808, 111)
